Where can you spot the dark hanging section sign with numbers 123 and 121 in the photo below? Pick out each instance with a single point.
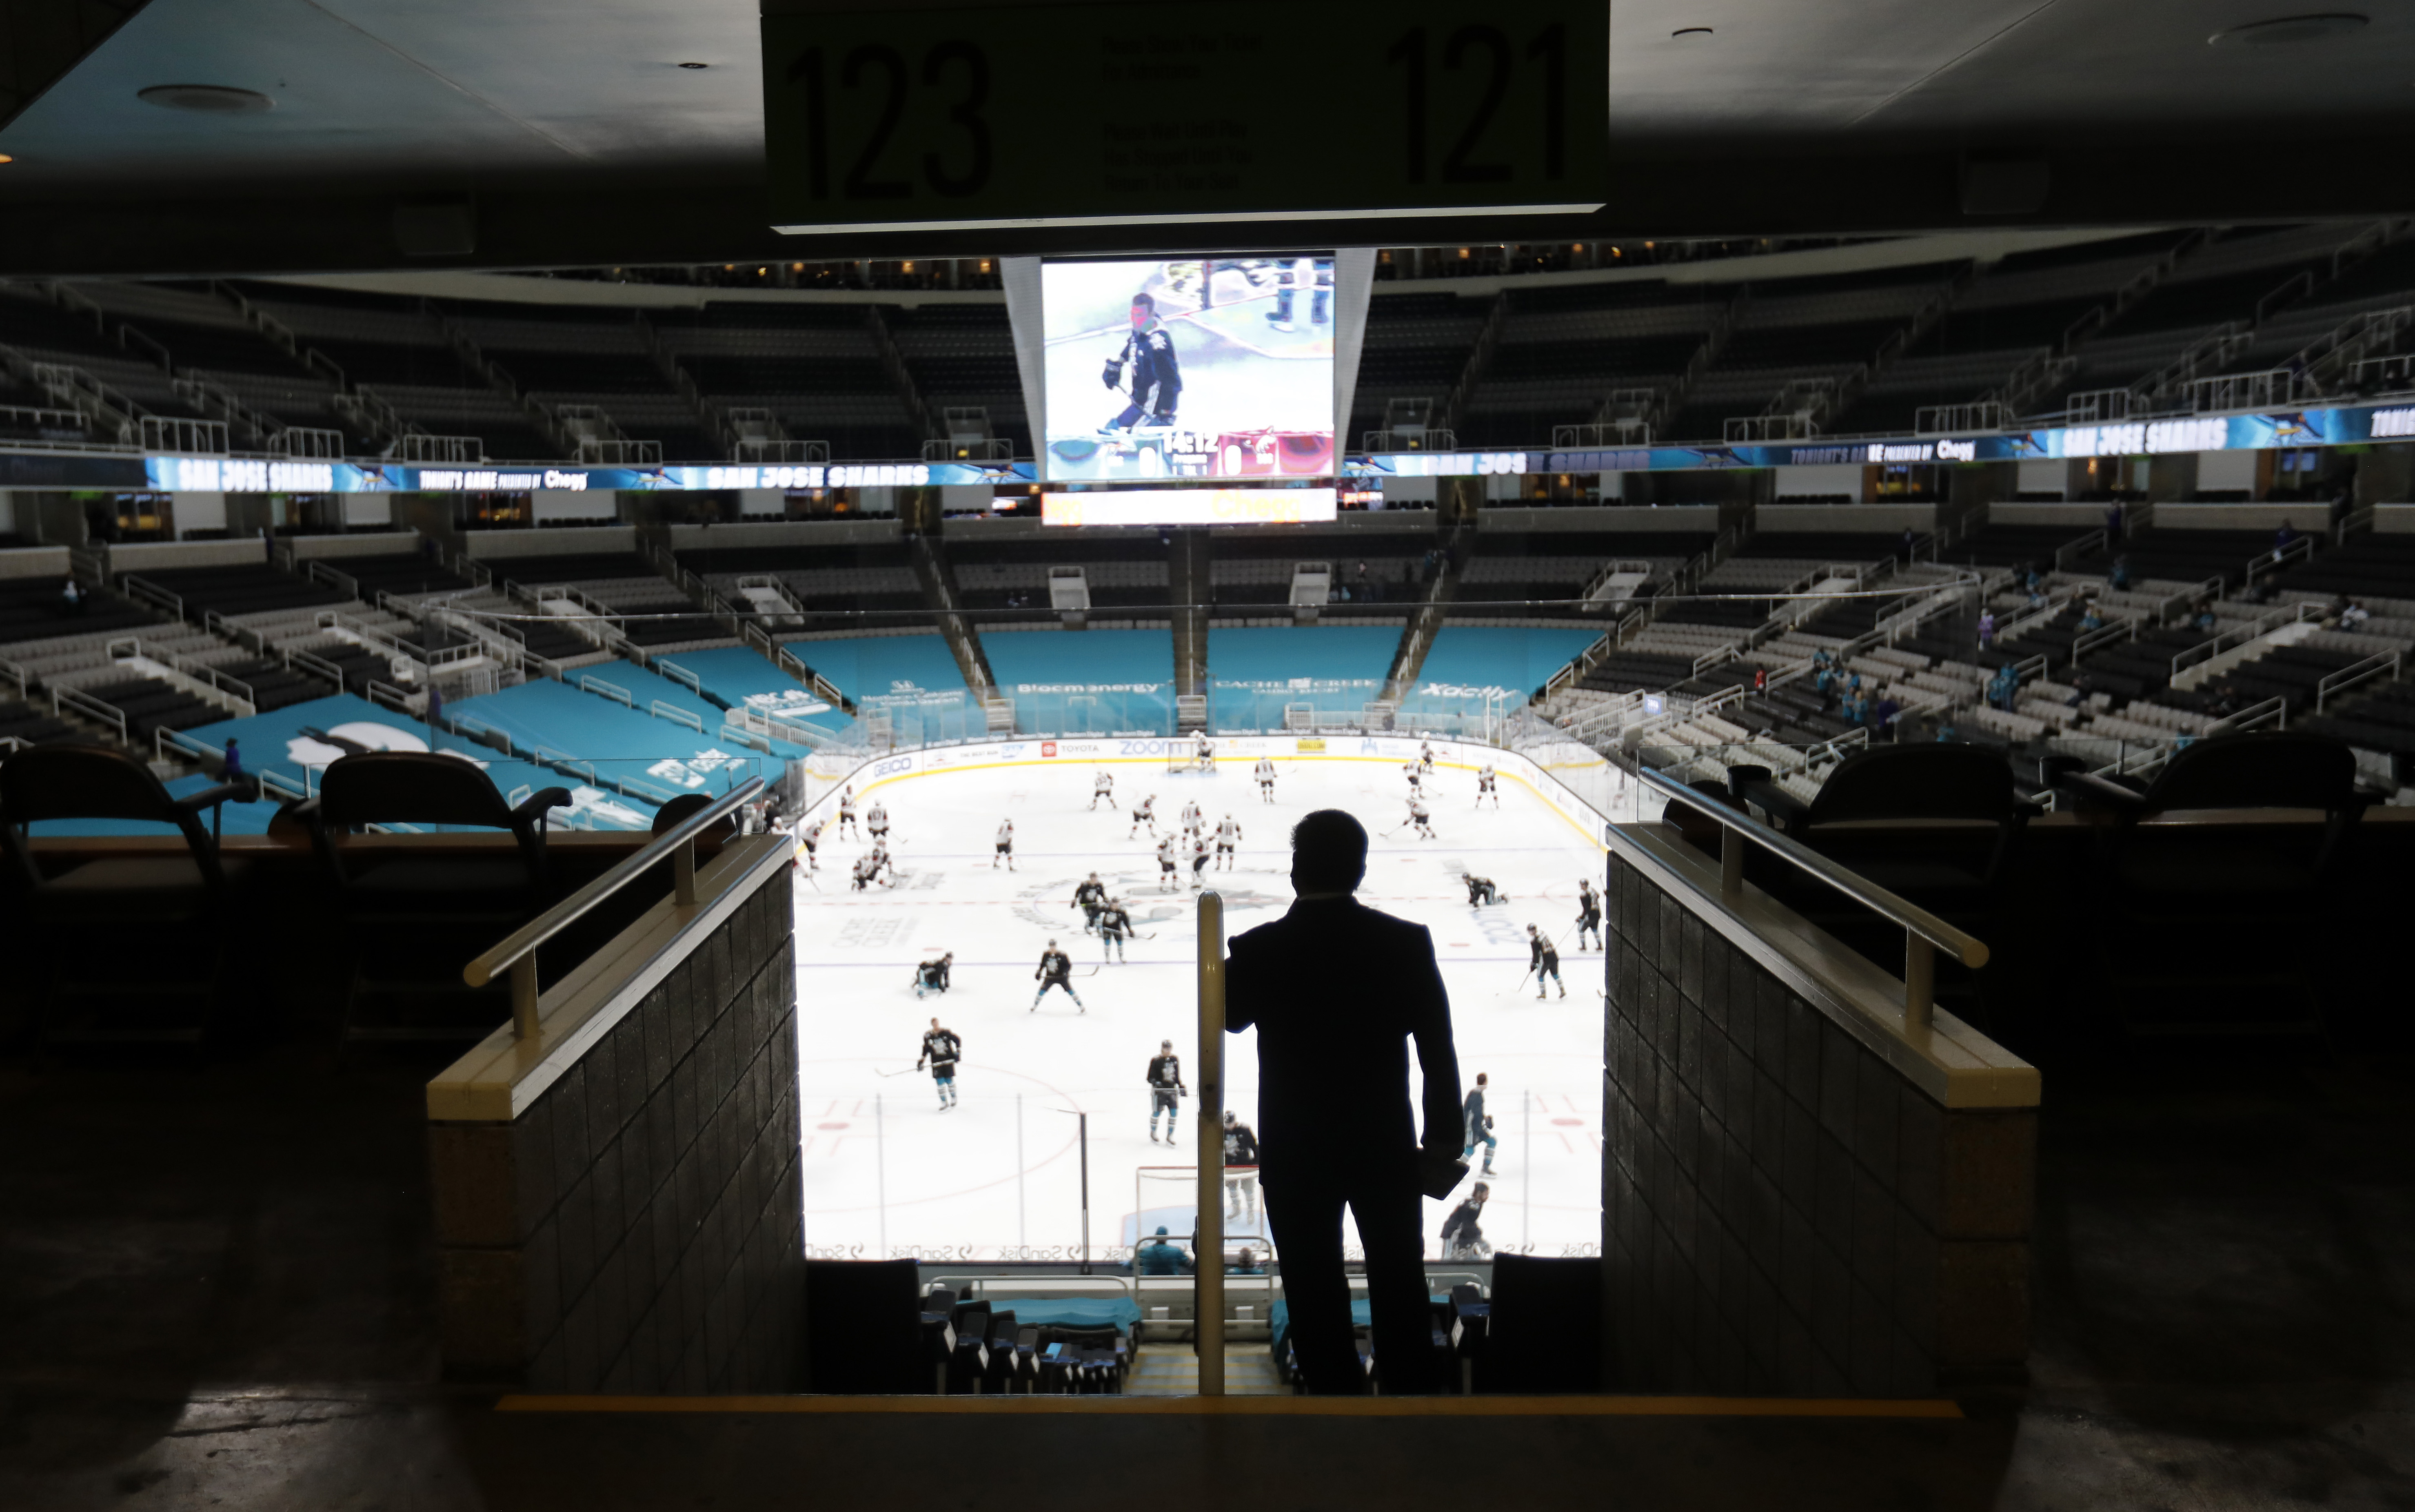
(1122, 115)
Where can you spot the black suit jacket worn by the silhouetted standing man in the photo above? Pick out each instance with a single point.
(1337, 991)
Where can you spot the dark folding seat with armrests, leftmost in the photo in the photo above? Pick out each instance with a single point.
(115, 892)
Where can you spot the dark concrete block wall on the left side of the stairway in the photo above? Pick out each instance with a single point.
(639, 1226)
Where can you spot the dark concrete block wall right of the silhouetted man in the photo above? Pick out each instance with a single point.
(1786, 1211)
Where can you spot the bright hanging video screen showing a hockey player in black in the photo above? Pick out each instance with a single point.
(1204, 368)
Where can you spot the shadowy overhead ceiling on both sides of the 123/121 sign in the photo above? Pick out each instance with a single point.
(581, 132)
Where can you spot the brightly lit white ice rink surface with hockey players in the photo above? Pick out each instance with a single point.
(1001, 1175)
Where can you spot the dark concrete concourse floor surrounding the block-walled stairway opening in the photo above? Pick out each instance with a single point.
(216, 1291)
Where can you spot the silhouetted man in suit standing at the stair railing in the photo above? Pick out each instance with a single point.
(1337, 994)
